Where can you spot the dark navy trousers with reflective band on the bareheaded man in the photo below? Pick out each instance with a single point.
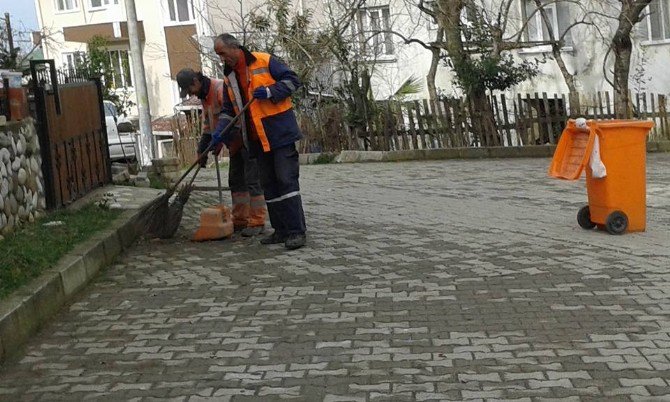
(280, 171)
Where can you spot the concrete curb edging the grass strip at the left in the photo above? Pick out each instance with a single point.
(24, 313)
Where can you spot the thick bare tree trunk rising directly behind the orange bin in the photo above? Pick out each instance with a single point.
(622, 47)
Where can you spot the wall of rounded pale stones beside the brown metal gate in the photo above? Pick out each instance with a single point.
(22, 196)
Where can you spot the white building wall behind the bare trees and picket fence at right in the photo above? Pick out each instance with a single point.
(585, 51)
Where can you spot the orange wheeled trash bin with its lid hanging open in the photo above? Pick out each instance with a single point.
(617, 202)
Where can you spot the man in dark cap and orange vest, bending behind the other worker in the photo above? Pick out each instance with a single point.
(249, 211)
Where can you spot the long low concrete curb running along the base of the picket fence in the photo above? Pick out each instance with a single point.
(530, 151)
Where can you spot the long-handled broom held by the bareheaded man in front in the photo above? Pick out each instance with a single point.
(160, 218)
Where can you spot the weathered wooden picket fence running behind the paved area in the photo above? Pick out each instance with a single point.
(531, 119)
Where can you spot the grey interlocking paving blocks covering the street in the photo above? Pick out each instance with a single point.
(445, 280)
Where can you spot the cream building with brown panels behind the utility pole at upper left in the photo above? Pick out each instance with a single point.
(168, 31)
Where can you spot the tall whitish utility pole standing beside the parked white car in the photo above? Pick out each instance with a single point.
(147, 143)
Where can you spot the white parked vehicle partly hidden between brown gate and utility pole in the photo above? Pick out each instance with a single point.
(120, 134)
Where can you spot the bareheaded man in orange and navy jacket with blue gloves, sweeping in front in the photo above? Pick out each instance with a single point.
(269, 131)
